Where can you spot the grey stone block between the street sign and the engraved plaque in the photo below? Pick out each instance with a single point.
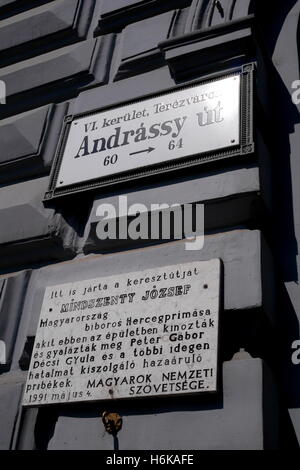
(228, 197)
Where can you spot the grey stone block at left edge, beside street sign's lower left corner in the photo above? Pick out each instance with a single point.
(32, 233)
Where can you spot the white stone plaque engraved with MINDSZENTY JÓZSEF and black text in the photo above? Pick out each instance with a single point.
(141, 334)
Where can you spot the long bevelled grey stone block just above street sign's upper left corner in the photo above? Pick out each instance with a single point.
(58, 74)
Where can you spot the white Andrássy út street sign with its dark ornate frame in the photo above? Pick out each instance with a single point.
(207, 120)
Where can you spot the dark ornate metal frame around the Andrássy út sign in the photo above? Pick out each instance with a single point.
(245, 146)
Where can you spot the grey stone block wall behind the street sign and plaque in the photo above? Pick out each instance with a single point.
(65, 57)
